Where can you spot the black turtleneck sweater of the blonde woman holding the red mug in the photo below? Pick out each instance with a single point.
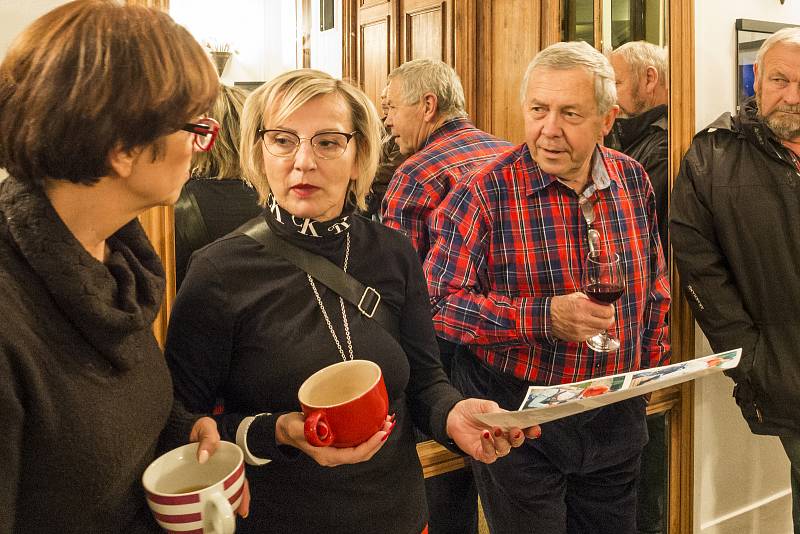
(246, 329)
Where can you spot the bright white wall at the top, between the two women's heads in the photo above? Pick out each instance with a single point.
(263, 32)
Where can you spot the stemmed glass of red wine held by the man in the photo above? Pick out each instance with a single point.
(603, 283)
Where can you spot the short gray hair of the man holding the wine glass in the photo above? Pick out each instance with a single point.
(578, 54)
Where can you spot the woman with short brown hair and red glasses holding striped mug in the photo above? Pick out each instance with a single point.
(100, 111)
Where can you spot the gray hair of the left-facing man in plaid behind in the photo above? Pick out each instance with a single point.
(422, 76)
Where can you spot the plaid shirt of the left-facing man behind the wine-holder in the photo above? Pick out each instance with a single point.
(421, 183)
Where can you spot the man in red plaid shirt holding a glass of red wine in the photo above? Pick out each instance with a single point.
(510, 245)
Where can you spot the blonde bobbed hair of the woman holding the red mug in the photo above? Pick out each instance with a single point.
(276, 100)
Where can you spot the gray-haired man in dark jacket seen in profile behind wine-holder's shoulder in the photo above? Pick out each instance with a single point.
(641, 131)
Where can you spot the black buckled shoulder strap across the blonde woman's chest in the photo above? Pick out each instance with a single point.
(366, 299)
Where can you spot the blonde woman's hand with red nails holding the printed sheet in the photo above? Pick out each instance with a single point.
(483, 443)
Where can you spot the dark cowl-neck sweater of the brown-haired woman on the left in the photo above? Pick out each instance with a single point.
(84, 391)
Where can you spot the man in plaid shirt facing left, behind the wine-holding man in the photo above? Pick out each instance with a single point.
(427, 117)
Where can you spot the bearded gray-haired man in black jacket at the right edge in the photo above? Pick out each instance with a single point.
(735, 230)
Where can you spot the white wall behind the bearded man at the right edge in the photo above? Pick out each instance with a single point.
(741, 480)
